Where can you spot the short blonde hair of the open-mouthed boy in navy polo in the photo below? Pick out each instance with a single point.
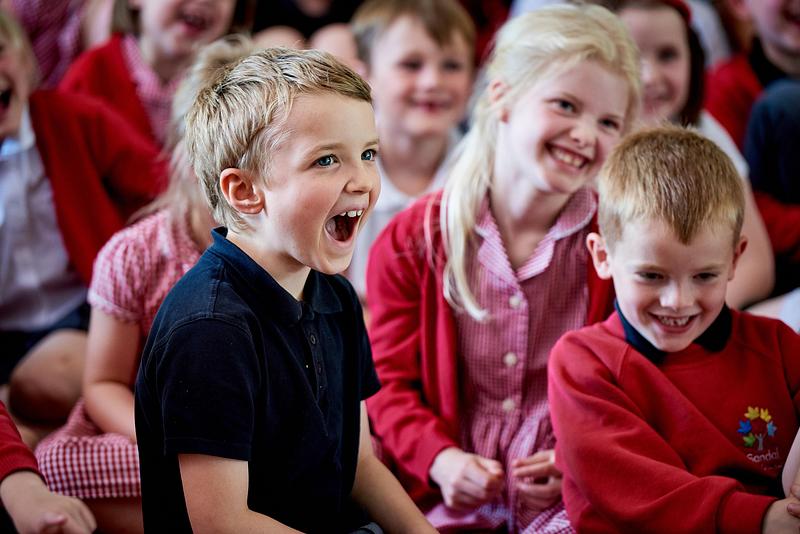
(239, 117)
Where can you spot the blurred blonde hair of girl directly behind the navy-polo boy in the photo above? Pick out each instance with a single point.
(184, 193)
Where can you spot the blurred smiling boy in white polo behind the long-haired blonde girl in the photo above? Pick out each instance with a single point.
(419, 61)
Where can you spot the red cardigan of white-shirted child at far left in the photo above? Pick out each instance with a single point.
(99, 168)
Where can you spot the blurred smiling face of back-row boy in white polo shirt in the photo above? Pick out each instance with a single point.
(419, 88)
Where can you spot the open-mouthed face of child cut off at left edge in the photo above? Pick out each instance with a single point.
(16, 75)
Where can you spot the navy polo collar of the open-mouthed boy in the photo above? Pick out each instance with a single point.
(268, 295)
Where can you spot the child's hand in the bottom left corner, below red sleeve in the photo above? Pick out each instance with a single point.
(34, 509)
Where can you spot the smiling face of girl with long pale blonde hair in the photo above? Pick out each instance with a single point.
(560, 131)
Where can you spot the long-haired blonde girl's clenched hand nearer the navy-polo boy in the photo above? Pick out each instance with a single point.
(466, 480)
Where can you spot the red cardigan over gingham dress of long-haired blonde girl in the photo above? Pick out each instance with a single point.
(415, 415)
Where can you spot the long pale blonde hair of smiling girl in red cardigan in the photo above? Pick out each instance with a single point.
(529, 49)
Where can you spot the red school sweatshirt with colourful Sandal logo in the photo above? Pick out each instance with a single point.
(682, 446)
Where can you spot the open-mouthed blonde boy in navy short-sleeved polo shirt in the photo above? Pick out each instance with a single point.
(249, 398)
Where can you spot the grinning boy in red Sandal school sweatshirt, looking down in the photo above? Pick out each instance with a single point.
(676, 414)
